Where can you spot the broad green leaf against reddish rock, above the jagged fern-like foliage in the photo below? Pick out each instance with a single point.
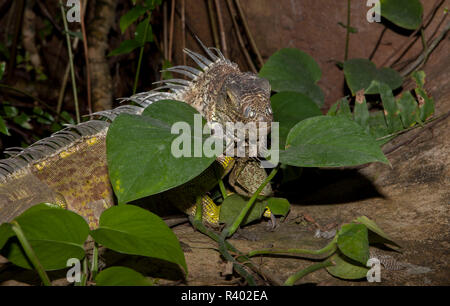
(359, 74)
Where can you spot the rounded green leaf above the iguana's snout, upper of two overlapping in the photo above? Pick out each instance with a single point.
(294, 70)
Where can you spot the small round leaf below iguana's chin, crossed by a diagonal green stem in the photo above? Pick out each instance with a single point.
(232, 206)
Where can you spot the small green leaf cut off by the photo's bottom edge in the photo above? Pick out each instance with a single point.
(121, 276)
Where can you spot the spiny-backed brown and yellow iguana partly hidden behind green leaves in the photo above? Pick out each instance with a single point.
(69, 168)
